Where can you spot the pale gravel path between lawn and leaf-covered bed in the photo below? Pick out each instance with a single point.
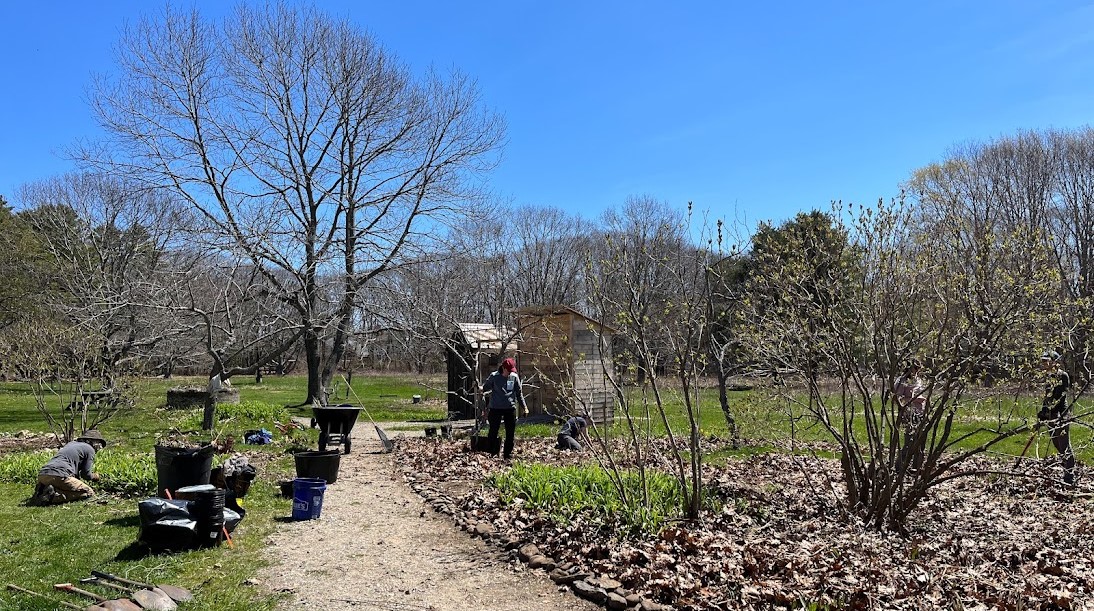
(378, 546)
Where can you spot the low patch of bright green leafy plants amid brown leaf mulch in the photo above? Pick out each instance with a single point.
(565, 492)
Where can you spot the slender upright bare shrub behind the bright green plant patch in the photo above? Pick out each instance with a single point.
(650, 285)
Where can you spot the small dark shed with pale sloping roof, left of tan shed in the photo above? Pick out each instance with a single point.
(474, 350)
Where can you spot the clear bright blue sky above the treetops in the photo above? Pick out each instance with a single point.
(762, 108)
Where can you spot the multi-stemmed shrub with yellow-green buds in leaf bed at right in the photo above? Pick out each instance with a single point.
(847, 321)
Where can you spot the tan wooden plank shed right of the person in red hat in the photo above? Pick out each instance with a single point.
(565, 361)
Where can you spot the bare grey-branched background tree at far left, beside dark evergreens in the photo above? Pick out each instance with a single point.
(107, 244)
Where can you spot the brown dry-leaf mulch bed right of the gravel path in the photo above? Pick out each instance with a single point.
(979, 543)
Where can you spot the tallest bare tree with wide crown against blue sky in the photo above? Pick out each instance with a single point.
(305, 146)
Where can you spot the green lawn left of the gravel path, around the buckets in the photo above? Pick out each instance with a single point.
(44, 546)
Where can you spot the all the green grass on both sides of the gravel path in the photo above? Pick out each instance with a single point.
(44, 546)
